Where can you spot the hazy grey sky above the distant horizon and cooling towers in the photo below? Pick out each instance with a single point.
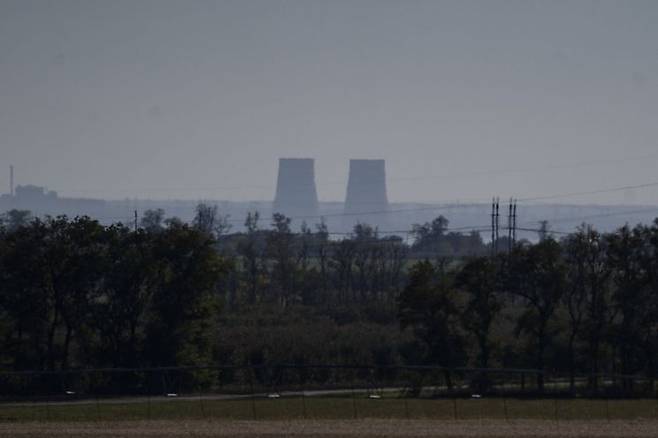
(198, 99)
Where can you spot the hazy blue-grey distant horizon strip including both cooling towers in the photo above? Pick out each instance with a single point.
(296, 196)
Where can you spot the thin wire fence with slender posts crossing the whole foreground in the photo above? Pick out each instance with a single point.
(293, 391)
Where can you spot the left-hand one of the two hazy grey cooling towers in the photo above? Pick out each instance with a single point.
(296, 194)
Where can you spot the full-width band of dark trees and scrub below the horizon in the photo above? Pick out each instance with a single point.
(75, 293)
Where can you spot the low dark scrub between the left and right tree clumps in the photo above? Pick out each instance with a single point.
(305, 335)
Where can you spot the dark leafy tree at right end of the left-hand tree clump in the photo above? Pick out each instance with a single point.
(184, 306)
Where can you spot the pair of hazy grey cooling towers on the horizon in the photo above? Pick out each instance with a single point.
(296, 194)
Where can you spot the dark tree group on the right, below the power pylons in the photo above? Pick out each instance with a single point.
(587, 304)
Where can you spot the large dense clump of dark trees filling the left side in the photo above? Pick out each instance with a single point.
(75, 293)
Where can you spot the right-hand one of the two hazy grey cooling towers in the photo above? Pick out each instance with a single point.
(366, 193)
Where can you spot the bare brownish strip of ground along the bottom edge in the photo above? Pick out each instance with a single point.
(338, 429)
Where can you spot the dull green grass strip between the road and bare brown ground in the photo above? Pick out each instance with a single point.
(332, 408)
